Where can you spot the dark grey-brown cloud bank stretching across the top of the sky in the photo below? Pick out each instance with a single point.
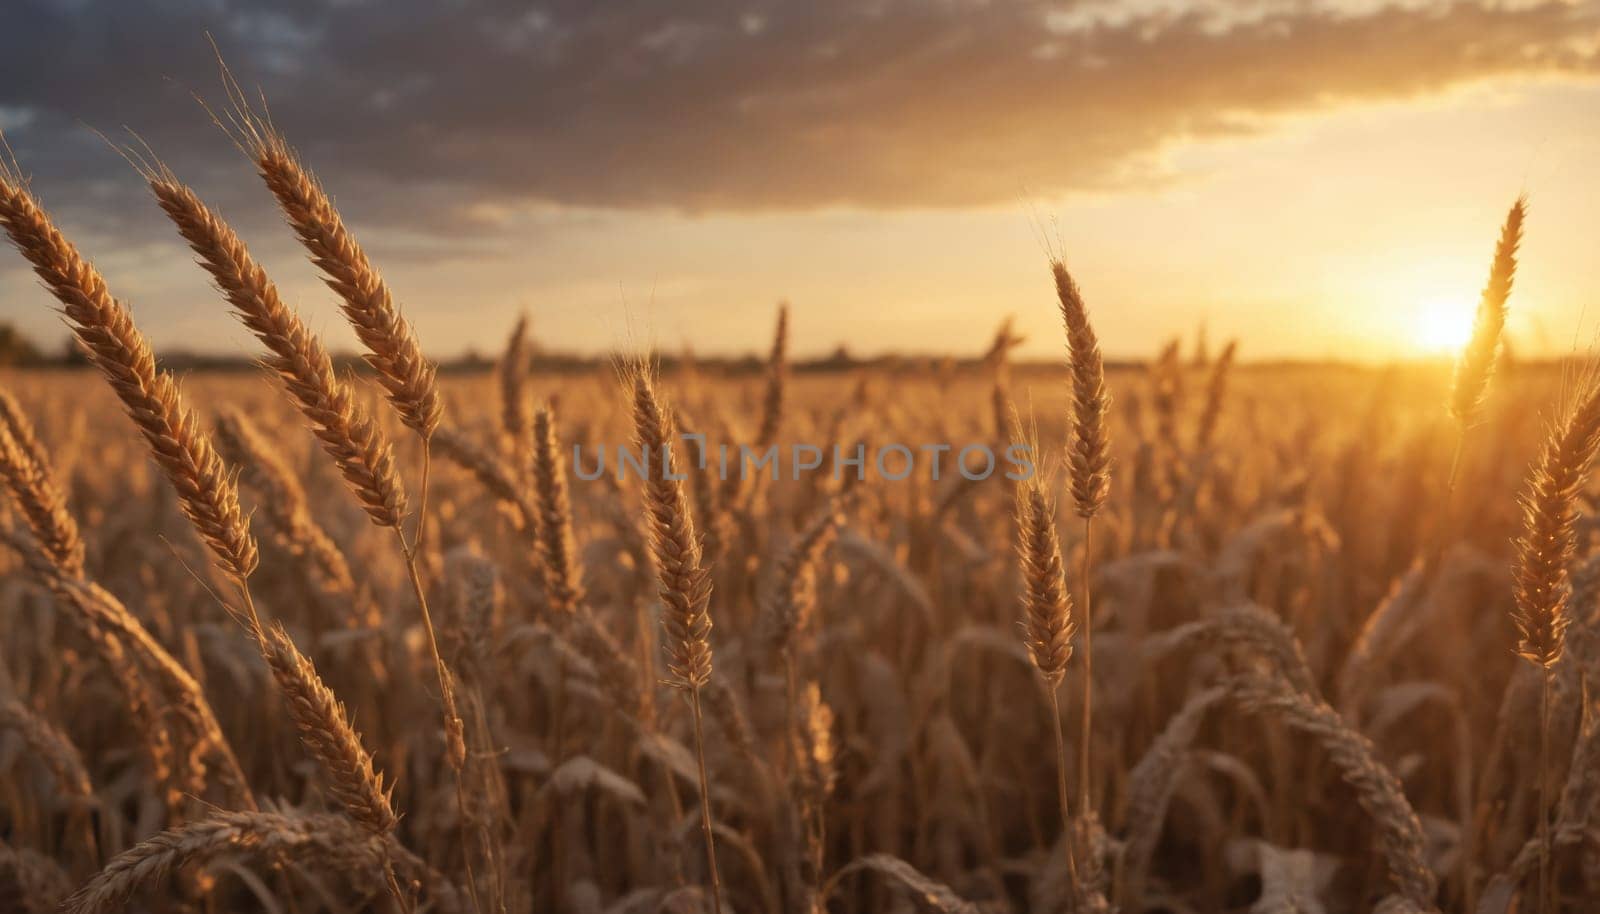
(438, 114)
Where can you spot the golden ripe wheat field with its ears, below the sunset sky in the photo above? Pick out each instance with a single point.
(1247, 638)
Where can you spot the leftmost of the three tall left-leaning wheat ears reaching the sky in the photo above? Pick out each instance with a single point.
(206, 489)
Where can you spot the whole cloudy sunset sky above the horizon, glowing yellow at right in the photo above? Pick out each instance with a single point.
(1314, 178)
